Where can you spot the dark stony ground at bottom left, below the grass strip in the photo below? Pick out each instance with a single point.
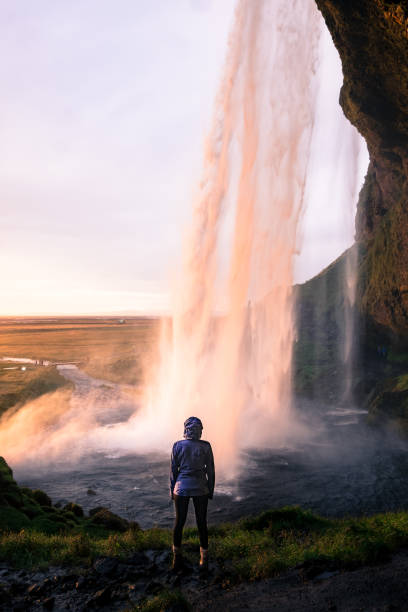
(109, 584)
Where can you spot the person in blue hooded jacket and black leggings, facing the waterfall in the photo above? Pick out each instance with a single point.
(191, 475)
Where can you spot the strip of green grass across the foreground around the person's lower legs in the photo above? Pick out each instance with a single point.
(247, 550)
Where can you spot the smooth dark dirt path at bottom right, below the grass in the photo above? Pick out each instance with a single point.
(383, 588)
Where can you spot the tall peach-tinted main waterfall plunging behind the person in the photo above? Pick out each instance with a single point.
(226, 354)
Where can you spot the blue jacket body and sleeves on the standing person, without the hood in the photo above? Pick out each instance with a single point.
(192, 468)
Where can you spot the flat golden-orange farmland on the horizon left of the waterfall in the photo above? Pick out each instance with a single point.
(110, 348)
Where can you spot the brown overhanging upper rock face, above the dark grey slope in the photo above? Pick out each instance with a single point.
(371, 37)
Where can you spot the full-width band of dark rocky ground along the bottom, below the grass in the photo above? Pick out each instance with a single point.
(112, 584)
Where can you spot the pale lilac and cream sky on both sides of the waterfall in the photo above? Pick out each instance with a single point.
(103, 110)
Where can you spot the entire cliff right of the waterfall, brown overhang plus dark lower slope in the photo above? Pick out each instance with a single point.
(371, 37)
